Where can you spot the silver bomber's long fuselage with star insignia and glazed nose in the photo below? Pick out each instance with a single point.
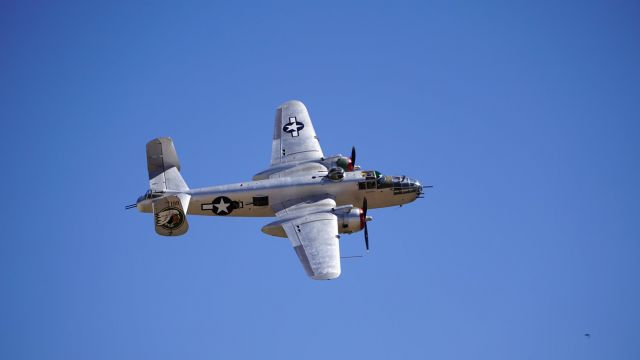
(260, 198)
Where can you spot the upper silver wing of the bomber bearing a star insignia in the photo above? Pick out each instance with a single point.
(294, 138)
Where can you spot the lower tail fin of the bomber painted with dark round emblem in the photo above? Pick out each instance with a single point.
(170, 215)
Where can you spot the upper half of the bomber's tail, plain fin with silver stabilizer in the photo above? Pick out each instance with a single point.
(163, 166)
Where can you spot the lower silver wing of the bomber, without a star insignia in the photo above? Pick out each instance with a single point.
(313, 231)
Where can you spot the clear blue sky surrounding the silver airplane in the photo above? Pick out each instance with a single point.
(524, 115)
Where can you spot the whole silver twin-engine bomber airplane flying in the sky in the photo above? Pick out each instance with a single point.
(314, 198)
